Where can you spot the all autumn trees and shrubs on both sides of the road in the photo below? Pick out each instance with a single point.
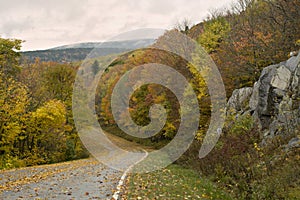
(37, 127)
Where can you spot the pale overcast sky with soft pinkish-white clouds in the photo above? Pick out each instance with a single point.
(45, 24)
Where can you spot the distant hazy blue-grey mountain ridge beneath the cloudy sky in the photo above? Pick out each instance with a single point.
(77, 52)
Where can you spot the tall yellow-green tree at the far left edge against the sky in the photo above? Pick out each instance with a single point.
(13, 96)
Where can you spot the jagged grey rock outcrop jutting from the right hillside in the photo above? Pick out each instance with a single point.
(274, 100)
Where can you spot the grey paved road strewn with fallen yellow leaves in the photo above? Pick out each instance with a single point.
(81, 179)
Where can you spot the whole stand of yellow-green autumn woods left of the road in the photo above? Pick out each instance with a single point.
(36, 116)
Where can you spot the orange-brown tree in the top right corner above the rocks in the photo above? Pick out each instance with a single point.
(263, 32)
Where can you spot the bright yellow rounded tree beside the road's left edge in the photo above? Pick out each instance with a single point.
(47, 127)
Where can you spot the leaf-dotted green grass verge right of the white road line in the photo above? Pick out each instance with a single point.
(173, 182)
